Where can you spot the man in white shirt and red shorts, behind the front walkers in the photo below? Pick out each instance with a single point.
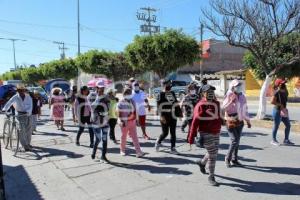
(140, 99)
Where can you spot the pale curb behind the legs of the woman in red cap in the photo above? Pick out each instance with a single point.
(295, 125)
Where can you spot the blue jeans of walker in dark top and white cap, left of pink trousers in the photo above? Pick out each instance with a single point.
(101, 134)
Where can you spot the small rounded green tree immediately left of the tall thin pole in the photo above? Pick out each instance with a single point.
(65, 69)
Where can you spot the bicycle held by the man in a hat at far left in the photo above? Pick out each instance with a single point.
(11, 133)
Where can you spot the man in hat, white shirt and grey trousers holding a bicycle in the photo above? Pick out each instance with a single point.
(22, 103)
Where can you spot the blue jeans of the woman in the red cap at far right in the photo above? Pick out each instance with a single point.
(277, 119)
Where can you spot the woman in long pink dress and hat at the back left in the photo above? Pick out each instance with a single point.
(57, 103)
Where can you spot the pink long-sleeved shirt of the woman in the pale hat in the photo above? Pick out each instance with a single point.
(238, 106)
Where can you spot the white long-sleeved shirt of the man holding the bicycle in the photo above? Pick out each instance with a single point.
(19, 104)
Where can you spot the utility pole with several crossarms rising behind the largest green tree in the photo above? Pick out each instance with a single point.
(149, 19)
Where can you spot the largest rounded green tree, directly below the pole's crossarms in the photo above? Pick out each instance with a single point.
(162, 53)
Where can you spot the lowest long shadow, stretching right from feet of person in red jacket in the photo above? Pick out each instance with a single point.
(285, 188)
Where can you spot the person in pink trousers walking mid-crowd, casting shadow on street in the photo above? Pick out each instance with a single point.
(127, 122)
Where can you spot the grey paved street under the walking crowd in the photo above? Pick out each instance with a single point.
(58, 169)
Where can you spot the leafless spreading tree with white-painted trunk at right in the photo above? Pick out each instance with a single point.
(256, 25)
